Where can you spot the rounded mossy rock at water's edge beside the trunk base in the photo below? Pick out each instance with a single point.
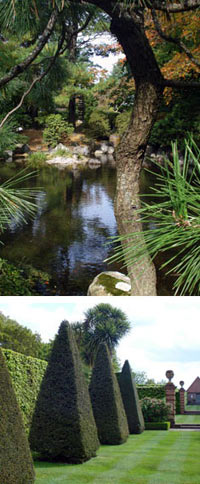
(110, 284)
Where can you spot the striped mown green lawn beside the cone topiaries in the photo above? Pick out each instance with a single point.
(154, 457)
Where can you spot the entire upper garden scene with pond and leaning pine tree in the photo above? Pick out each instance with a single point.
(99, 168)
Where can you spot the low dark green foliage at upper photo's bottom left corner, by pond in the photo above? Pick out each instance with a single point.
(21, 280)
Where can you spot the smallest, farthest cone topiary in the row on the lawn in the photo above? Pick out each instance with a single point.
(130, 399)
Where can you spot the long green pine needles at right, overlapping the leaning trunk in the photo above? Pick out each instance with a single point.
(173, 209)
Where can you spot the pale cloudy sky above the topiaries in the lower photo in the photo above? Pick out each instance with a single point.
(164, 335)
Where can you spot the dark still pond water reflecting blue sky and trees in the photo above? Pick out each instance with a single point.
(68, 236)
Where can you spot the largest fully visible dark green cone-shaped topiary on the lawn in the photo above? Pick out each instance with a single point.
(63, 426)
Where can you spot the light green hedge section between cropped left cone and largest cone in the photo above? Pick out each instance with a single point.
(26, 373)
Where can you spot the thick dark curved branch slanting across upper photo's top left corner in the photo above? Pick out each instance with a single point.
(19, 68)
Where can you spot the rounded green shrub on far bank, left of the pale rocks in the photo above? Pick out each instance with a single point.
(56, 129)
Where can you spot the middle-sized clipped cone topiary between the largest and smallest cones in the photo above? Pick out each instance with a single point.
(106, 400)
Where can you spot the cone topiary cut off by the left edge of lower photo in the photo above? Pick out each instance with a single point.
(16, 465)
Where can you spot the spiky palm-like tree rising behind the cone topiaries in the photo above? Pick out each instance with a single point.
(102, 324)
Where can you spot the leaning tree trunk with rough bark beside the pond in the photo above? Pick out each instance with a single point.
(130, 154)
